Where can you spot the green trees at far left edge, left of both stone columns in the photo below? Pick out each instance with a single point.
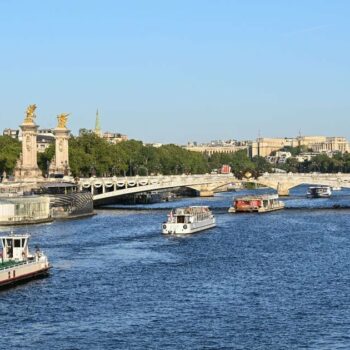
(10, 150)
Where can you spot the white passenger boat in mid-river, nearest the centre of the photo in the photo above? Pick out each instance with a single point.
(188, 220)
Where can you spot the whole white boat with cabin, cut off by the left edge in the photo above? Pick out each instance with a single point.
(17, 263)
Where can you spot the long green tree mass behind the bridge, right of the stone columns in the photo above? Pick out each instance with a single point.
(91, 155)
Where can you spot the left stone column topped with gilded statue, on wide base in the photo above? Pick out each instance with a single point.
(27, 166)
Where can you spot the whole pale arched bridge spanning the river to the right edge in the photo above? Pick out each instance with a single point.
(105, 190)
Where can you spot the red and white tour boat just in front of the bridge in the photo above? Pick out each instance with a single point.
(259, 203)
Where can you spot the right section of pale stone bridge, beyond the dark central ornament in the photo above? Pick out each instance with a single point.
(282, 183)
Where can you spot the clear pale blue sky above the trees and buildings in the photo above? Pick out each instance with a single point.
(181, 70)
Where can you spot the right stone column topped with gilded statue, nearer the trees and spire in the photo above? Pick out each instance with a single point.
(60, 164)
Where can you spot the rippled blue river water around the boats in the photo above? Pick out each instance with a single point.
(279, 280)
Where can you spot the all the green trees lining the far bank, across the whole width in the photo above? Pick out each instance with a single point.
(91, 155)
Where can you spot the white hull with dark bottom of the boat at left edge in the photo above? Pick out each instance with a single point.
(23, 273)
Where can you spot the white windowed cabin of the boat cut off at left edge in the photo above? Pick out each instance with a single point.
(14, 247)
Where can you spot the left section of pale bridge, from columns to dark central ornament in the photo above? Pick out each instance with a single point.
(106, 190)
